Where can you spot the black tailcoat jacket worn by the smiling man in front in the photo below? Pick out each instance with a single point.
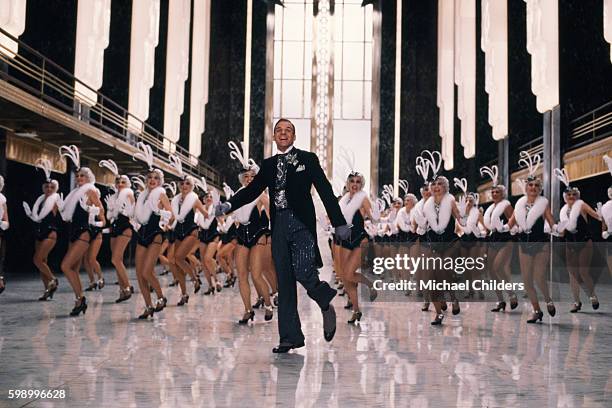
(303, 172)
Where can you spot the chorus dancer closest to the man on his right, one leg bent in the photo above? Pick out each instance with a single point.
(356, 207)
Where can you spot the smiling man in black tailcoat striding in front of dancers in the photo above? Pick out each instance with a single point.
(289, 177)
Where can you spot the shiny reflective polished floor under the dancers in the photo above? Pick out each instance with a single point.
(197, 356)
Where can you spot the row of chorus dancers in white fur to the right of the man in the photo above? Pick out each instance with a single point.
(431, 224)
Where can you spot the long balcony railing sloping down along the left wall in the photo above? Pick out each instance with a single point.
(37, 75)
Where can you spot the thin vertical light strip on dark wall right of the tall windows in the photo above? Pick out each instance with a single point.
(398, 97)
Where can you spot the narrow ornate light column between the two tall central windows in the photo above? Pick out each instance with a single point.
(321, 139)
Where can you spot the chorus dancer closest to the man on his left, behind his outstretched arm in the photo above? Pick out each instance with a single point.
(251, 241)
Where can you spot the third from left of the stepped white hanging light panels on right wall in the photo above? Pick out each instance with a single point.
(494, 43)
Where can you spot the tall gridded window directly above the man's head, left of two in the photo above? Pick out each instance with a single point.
(293, 66)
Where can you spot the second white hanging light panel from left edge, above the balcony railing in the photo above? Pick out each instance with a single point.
(93, 29)
